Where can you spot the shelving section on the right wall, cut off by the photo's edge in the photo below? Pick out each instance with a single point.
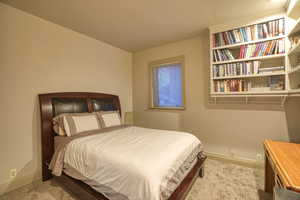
(293, 47)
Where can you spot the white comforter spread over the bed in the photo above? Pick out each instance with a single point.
(132, 162)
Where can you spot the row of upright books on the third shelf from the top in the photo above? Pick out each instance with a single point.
(236, 69)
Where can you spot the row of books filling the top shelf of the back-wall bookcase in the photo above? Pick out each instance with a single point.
(249, 33)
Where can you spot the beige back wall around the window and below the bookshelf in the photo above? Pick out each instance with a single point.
(230, 130)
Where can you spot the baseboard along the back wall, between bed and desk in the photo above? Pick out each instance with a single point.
(238, 160)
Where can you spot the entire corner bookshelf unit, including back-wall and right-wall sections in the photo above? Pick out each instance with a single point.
(260, 58)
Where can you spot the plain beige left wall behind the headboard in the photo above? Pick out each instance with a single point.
(37, 56)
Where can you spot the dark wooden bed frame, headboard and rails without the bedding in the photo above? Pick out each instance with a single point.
(53, 104)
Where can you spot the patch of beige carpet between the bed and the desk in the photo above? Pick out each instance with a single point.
(228, 181)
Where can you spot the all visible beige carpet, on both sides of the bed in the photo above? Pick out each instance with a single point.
(222, 181)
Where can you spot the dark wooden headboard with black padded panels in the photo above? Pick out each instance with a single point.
(53, 104)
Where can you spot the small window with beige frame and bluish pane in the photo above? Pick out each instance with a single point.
(167, 83)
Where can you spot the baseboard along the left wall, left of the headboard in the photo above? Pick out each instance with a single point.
(18, 182)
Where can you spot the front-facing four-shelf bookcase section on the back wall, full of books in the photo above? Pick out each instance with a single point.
(249, 59)
